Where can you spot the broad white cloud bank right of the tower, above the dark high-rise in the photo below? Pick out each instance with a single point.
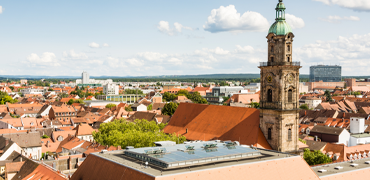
(353, 53)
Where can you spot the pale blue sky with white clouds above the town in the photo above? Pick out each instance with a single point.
(166, 37)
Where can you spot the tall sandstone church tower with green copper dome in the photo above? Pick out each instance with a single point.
(279, 96)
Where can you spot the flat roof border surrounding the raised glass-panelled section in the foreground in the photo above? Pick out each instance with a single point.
(122, 159)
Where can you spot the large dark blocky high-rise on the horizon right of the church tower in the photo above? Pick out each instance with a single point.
(325, 73)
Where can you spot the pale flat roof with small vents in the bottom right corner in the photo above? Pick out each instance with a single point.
(342, 167)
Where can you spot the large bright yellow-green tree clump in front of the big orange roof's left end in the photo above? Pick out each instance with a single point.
(140, 133)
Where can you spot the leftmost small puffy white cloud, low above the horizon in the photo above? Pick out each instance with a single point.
(46, 59)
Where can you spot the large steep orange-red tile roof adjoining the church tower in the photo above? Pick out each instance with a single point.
(207, 122)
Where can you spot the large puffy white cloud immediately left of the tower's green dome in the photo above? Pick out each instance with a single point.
(228, 19)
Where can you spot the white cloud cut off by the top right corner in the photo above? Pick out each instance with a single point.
(358, 5)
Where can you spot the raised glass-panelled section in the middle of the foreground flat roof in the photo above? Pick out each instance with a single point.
(182, 155)
